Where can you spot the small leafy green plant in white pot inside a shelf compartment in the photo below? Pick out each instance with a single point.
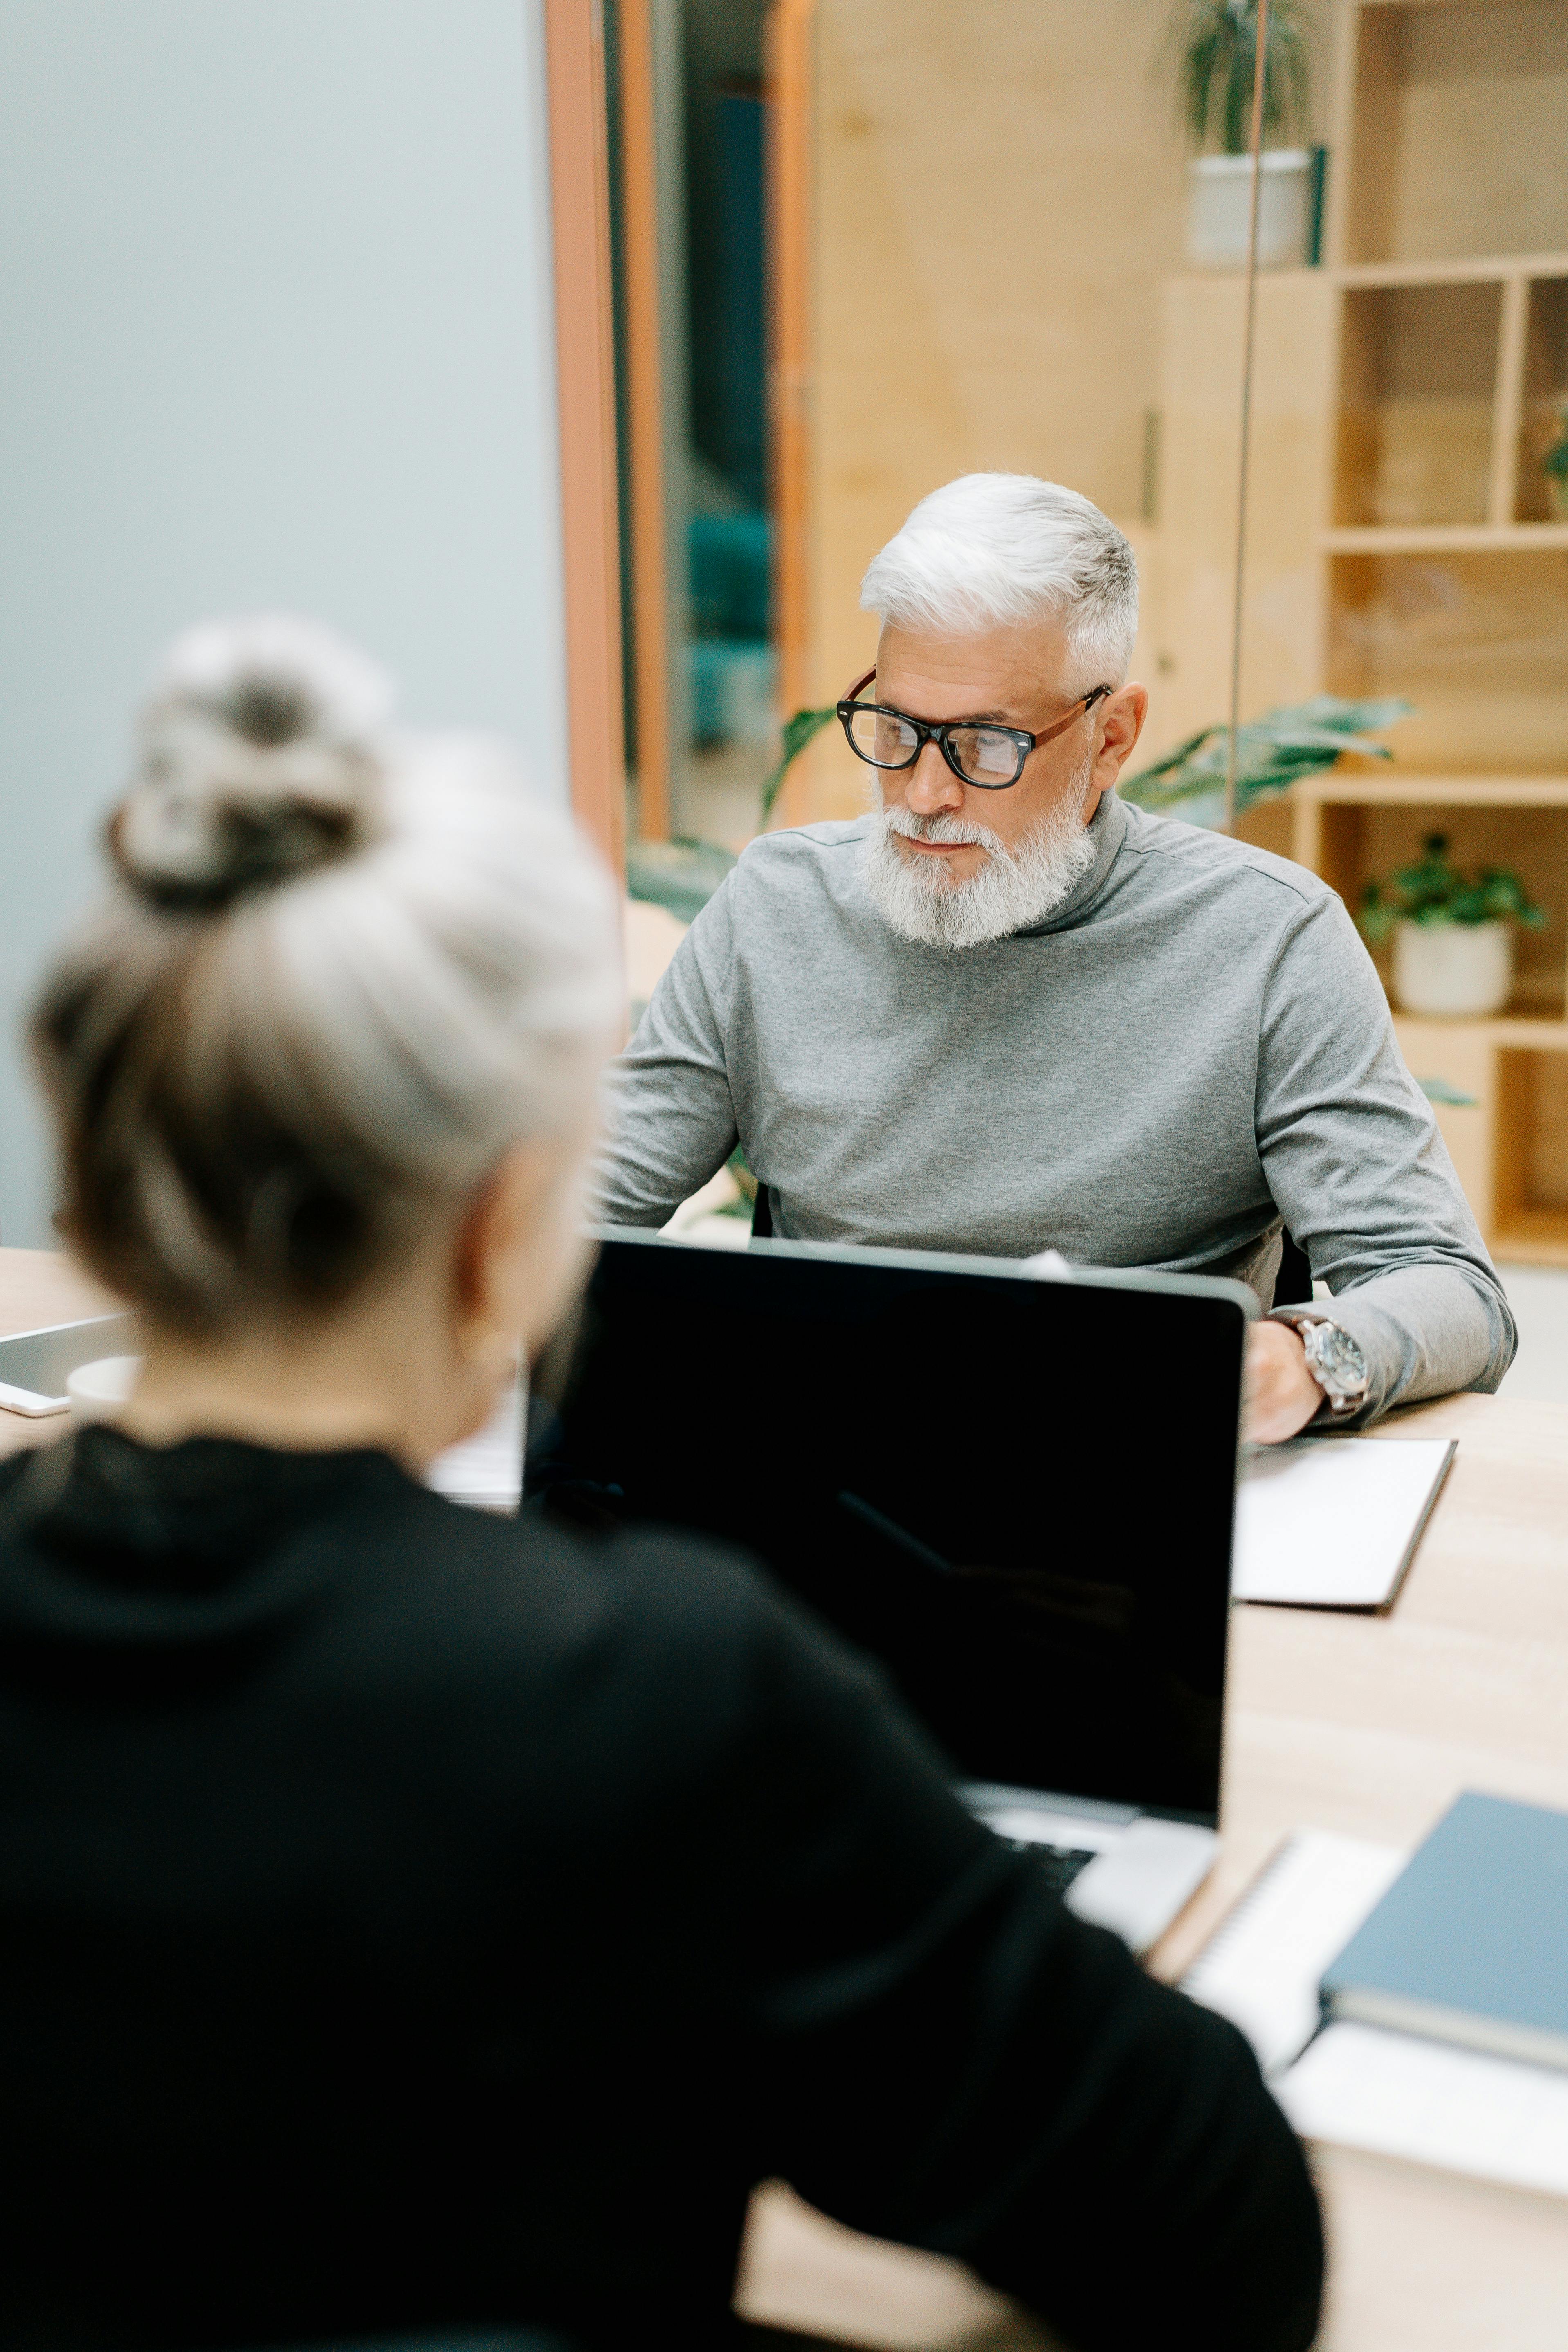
(1454, 940)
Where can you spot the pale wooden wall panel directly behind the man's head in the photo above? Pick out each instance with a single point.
(1000, 192)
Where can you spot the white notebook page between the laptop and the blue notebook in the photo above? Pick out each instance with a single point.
(1266, 1960)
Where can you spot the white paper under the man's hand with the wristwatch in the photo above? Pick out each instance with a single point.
(1332, 1521)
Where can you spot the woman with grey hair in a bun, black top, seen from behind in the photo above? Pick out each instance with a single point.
(413, 1918)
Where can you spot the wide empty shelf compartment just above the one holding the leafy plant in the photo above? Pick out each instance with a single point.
(1475, 641)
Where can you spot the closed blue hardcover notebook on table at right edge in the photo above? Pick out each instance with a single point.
(1470, 1944)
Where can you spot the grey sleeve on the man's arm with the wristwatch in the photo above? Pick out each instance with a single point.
(1362, 1177)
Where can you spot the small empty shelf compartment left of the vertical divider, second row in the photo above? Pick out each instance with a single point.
(1419, 373)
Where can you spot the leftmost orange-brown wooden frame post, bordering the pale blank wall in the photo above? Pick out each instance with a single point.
(587, 417)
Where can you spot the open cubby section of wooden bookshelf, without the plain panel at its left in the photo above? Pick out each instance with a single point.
(1442, 554)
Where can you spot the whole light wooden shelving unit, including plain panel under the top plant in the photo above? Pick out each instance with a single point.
(1402, 535)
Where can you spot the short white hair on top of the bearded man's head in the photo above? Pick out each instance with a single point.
(1003, 549)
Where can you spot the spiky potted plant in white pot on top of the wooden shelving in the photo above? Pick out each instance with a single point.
(1217, 58)
